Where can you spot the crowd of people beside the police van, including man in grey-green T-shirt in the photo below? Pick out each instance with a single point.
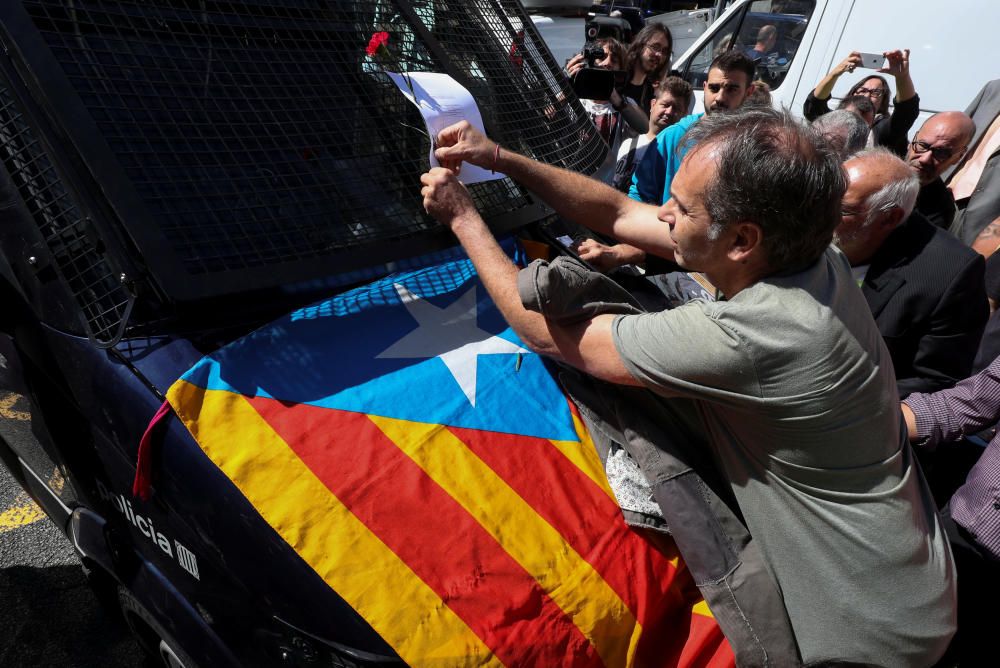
(837, 348)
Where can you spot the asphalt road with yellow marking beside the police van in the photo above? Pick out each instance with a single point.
(50, 616)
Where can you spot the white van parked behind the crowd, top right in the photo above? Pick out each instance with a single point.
(954, 48)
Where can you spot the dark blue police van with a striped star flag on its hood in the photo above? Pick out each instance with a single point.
(271, 406)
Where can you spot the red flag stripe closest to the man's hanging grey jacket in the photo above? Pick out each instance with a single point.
(660, 595)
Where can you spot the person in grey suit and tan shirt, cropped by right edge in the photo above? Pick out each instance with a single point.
(975, 183)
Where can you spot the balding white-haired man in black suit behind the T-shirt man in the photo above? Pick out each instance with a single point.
(925, 288)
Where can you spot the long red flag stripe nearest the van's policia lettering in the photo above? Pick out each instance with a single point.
(432, 534)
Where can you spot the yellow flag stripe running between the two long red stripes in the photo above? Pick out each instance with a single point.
(576, 587)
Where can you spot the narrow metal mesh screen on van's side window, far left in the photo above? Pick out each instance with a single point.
(104, 303)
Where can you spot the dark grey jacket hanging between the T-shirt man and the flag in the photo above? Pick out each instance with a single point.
(666, 437)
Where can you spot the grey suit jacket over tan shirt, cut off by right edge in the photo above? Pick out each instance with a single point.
(984, 204)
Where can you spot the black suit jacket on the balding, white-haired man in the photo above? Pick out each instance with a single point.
(926, 291)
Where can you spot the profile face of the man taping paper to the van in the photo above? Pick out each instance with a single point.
(687, 217)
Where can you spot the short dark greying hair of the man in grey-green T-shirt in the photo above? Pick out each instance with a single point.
(776, 172)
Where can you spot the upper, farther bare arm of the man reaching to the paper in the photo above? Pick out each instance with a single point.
(574, 196)
